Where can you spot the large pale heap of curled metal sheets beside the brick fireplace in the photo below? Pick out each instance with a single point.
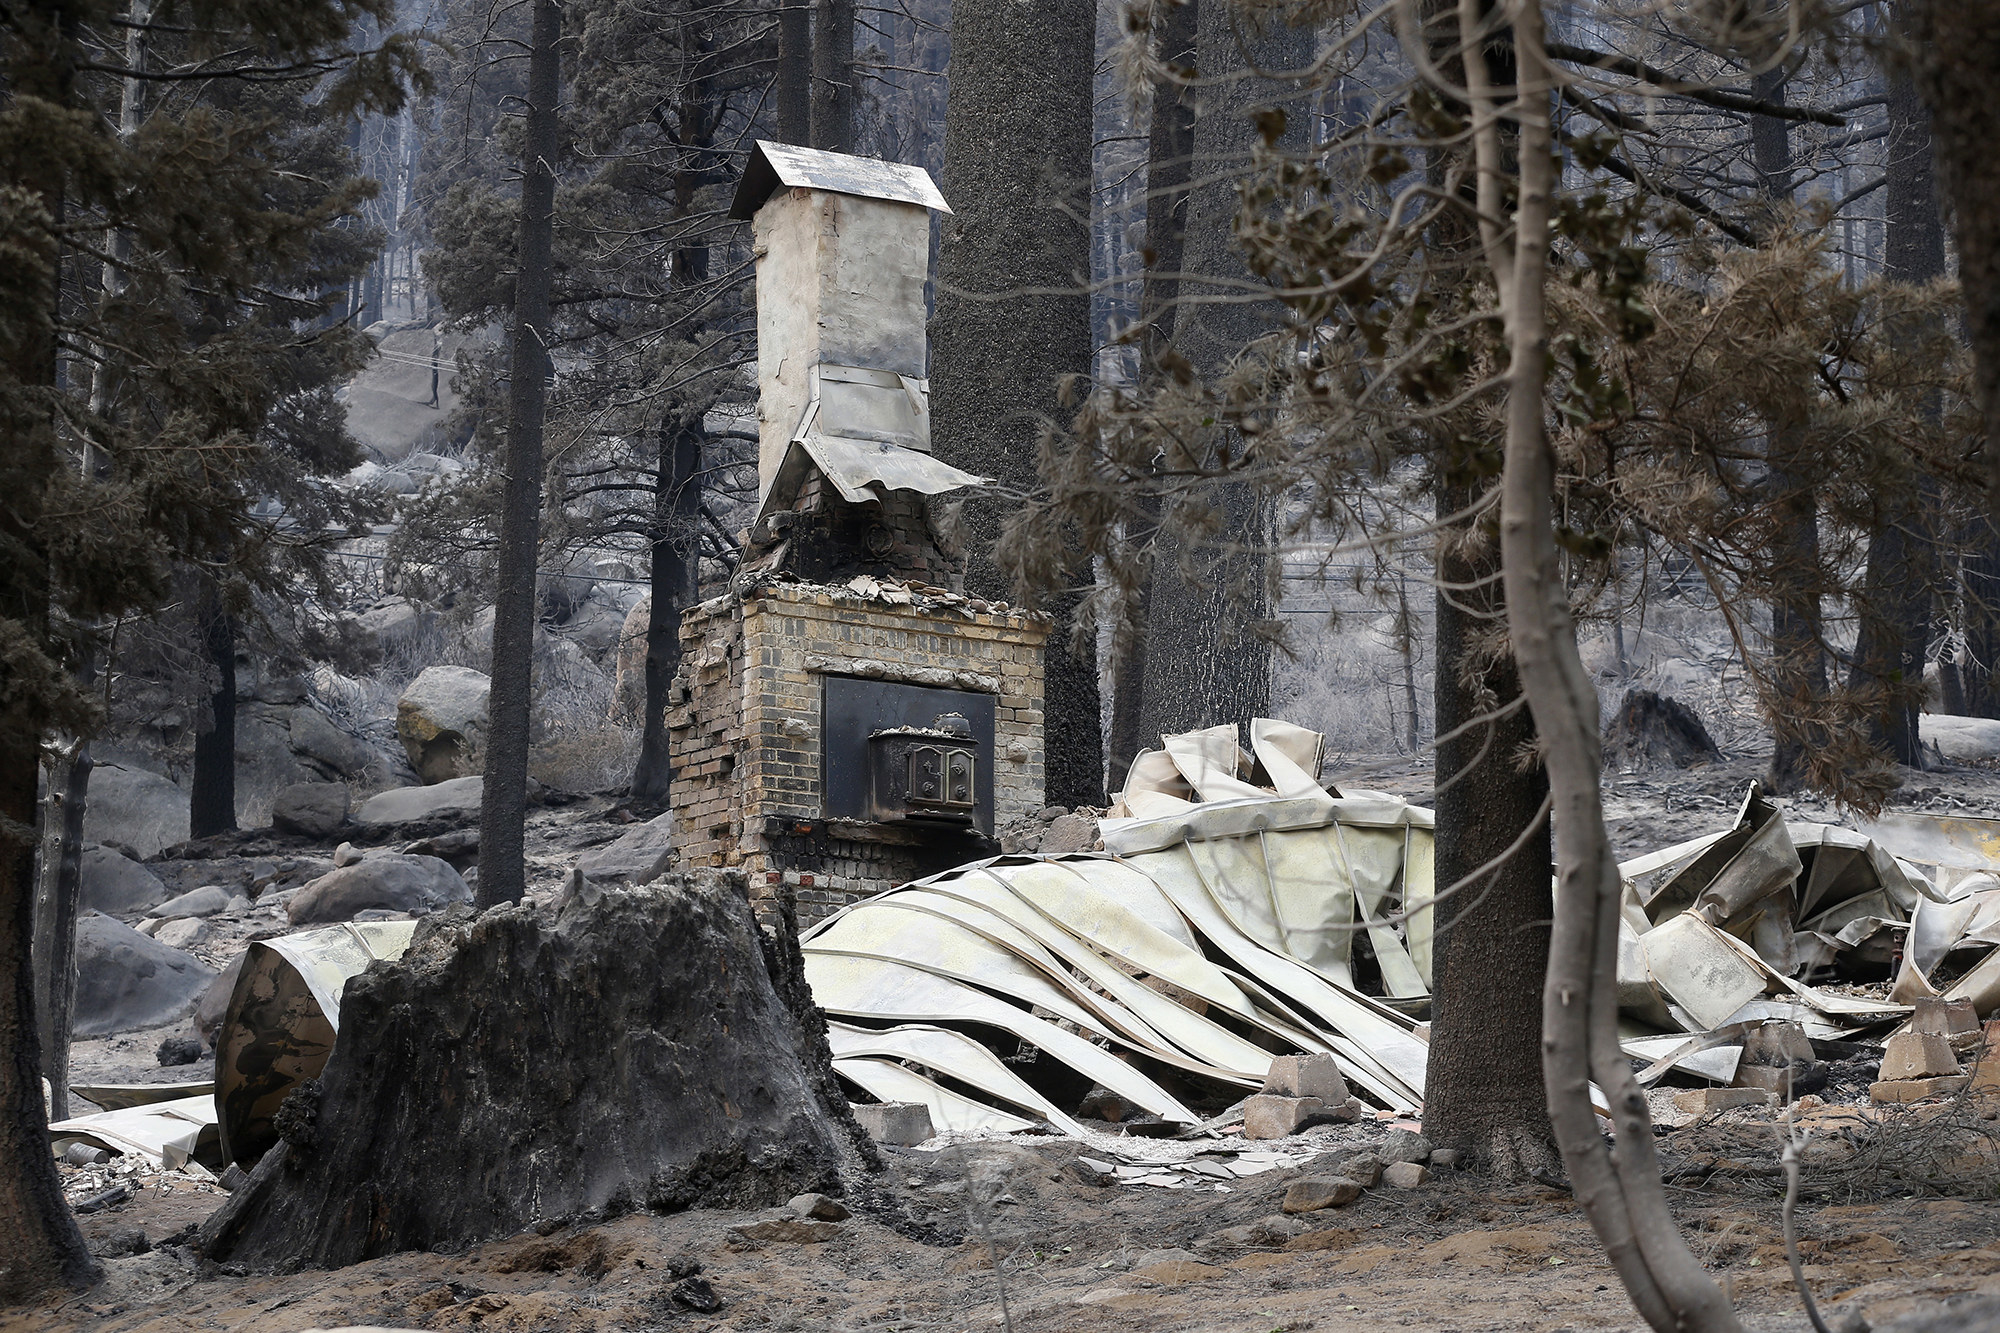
(1213, 934)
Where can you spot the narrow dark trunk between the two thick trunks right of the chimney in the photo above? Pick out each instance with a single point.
(1169, 157)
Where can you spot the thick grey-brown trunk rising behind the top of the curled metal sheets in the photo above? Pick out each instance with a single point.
(1209, 653)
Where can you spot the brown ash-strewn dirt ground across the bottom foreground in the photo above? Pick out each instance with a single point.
(1453, 1256)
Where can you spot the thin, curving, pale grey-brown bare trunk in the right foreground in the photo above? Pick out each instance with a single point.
(1623, 1194)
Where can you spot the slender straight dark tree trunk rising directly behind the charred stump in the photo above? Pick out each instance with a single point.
(505, 798)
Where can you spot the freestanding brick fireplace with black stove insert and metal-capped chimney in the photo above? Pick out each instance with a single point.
(843, 720)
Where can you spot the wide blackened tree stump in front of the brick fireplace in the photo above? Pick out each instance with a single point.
(631, 1050)
